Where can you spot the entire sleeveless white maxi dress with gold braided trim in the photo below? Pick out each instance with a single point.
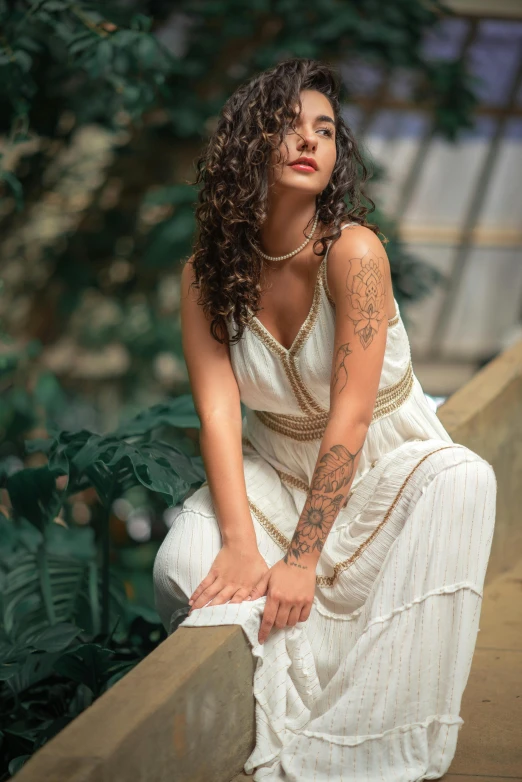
(369, 688)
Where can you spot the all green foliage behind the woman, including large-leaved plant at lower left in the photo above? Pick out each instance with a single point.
(103, 110)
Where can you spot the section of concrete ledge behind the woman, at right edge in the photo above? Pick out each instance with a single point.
(486, 416)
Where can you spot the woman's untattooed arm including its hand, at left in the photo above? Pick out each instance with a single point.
(238, 565)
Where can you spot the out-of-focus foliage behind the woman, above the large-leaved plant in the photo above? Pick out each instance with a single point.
(103, 109)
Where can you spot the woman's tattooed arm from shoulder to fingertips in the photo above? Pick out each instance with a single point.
(360, 285)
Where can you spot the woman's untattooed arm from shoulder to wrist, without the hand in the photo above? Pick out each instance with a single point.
(216, 398)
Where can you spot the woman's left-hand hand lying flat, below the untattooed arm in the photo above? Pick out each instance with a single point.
(234, 572)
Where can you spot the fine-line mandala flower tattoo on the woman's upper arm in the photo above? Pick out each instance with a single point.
(367, 294)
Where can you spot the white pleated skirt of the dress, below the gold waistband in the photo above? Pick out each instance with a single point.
(369, 687)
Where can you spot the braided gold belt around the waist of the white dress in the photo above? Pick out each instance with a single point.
(312, 427)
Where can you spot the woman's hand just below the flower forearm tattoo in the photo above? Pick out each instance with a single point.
(290, 592)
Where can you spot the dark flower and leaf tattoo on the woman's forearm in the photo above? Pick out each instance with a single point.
(333, 473)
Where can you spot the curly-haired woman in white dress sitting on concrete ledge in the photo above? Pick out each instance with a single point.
(340, 526)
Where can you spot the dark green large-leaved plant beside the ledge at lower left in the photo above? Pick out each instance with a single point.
(68, 631)
